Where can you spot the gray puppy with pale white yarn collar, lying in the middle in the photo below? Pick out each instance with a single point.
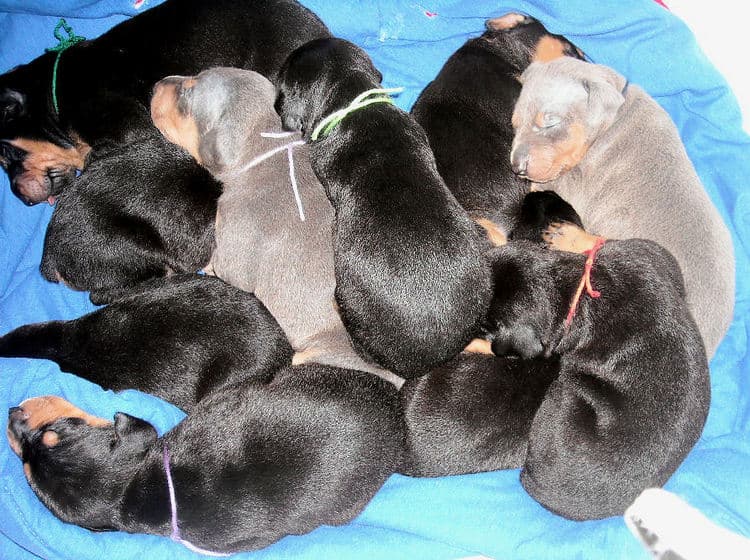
(262, 243)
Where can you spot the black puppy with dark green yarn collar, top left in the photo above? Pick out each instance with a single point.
(103, 85)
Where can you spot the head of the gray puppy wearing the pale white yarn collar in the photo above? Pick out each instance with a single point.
(215, 114)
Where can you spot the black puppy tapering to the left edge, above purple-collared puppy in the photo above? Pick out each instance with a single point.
(180, 339)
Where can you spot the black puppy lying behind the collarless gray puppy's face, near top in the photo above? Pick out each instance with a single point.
(466, 111)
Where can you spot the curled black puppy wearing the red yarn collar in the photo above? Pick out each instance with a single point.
(632, 394)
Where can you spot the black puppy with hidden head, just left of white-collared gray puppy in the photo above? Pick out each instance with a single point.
(107, 233)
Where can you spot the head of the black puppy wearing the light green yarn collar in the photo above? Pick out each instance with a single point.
(320, 77)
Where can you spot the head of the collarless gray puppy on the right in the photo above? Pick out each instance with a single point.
(563, 106)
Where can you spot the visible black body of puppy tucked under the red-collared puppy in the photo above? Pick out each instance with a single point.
(473, 414)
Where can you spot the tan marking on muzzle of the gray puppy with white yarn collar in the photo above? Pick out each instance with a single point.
(176, 127)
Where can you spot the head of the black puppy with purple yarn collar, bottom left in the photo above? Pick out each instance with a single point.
(77, 464)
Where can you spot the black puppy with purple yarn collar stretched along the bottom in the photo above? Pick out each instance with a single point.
(251, 464)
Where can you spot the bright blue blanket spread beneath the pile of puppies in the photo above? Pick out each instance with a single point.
(435, 519)
